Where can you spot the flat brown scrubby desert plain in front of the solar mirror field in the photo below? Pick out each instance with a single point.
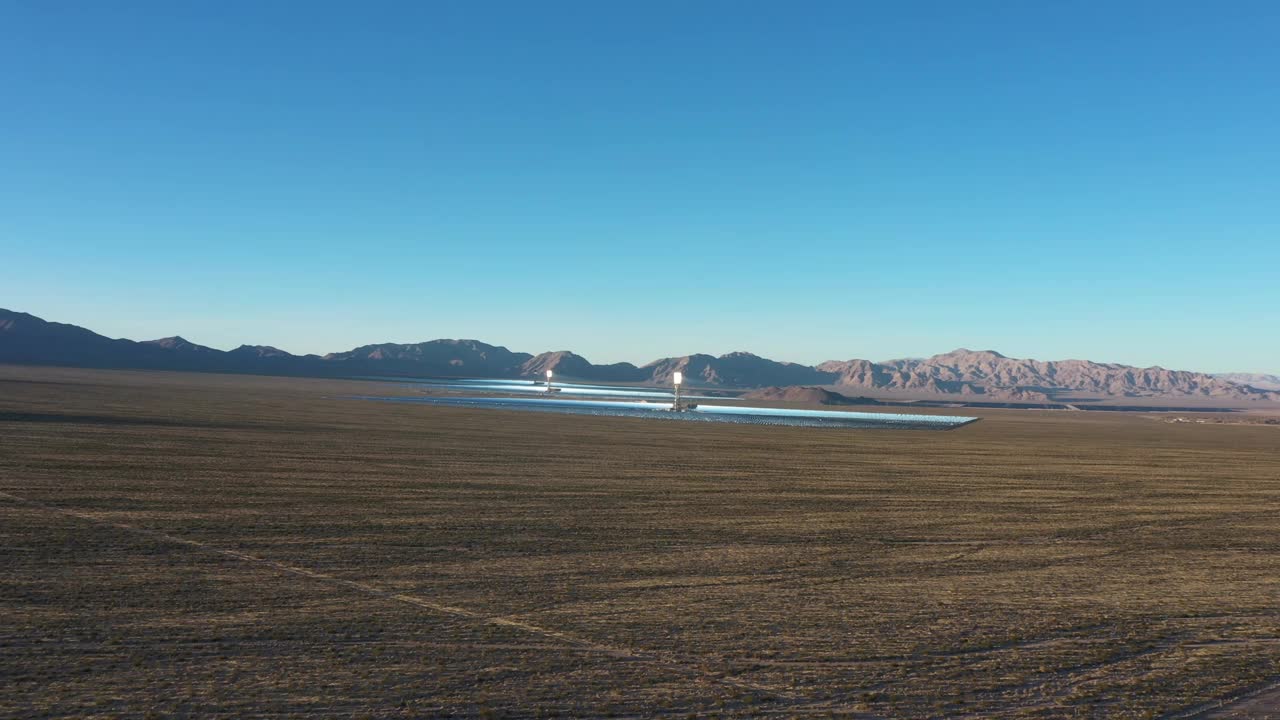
(217, 546)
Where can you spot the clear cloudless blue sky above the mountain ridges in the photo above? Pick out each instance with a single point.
(807, 181)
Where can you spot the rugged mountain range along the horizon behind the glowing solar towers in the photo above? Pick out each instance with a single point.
(29, 340)
